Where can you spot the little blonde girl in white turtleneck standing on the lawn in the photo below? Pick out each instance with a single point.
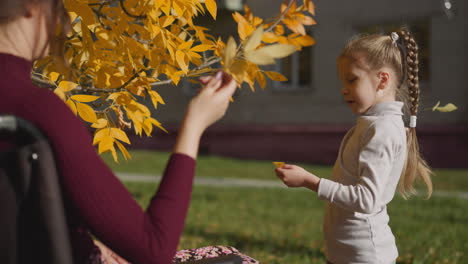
(380, 76)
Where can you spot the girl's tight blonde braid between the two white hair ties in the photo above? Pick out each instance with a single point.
(412, 69)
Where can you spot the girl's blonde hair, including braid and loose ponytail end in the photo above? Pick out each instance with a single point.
(401, 56)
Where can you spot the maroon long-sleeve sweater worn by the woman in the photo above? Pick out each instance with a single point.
(95, 200)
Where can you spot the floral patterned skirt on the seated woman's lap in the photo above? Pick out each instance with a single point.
(210, 252)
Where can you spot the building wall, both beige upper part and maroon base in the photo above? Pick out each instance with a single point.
(307, 124)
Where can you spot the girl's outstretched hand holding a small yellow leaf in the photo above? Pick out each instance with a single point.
(295, 176)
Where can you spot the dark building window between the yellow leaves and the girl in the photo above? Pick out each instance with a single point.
(298, 68)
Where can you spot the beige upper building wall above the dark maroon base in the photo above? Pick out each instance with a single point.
(321, 102)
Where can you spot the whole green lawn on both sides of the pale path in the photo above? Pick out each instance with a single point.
(284, 225)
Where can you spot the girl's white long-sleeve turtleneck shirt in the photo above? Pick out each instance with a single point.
(364, 179)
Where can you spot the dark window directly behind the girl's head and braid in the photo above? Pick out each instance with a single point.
(421, 32)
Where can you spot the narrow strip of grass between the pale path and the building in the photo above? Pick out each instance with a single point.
(149, 162)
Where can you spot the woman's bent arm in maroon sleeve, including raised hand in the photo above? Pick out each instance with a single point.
(101, 200)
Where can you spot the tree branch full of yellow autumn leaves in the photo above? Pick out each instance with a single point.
(119, 52)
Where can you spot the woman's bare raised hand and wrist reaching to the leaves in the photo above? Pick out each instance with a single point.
(203, 110)
